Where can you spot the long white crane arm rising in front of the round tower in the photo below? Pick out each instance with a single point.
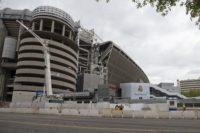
(46, 51)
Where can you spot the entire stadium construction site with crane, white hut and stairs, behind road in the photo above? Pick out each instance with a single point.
(49, 61)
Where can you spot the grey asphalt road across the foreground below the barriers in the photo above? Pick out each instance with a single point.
(30, 123)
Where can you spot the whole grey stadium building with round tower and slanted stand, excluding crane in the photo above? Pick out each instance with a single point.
(80, 60)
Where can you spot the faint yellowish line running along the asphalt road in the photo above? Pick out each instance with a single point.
(102, 128)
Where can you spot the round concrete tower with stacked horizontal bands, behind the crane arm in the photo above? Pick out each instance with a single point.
(57, 27)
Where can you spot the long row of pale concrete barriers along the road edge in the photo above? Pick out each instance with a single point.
(108, 113)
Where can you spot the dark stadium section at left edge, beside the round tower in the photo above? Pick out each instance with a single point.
(10, 29)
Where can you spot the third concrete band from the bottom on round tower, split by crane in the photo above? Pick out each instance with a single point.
(41, 72)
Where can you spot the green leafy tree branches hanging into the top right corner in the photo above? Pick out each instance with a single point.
(164, 6)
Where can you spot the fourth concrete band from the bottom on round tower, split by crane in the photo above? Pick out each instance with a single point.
(27, 64)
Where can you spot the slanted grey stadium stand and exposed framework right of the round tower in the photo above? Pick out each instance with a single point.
(108, 61)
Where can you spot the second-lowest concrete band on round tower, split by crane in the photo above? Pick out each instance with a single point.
(41, 81)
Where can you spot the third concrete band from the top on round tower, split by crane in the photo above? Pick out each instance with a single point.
(41, 56)
